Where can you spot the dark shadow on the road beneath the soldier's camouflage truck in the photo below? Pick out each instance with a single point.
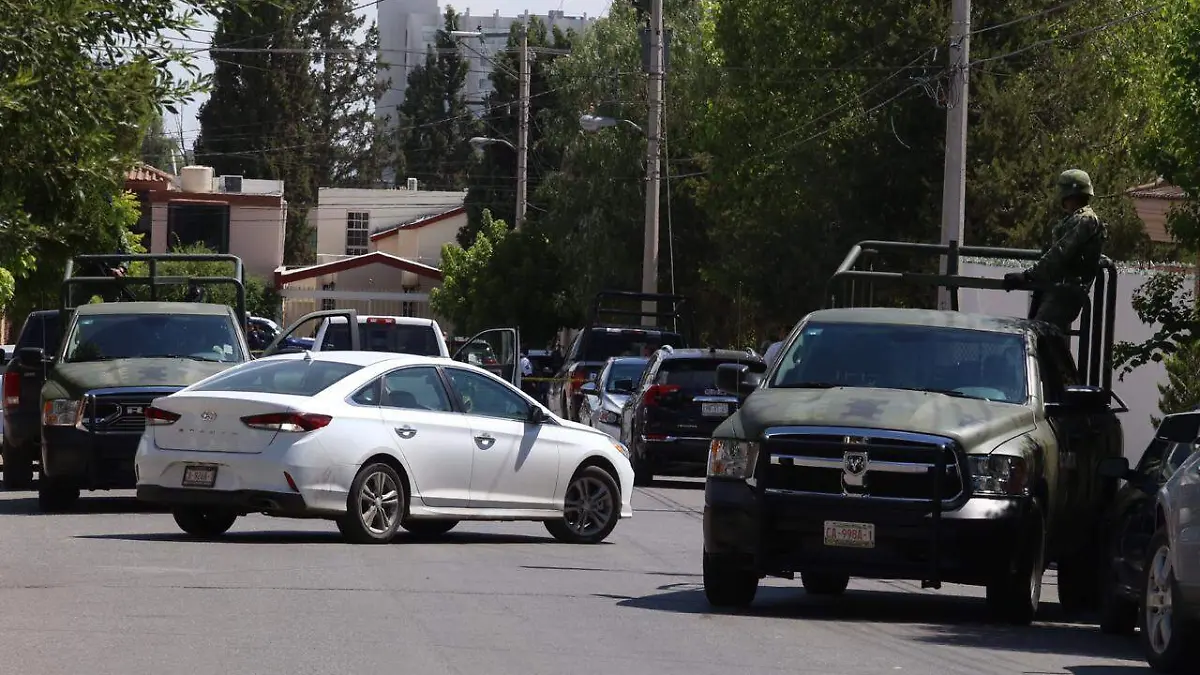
(950, 620)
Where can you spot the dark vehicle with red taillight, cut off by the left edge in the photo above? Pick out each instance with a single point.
(22, 405)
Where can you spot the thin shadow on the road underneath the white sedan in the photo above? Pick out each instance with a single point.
(332, 537)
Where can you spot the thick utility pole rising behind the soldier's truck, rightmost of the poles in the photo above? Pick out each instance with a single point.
(956, 177)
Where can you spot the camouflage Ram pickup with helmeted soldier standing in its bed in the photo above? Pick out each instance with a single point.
(925, 445)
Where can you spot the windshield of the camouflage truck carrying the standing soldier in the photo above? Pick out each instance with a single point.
(952, 361)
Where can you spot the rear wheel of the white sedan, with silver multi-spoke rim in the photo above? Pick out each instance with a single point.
(376, 506)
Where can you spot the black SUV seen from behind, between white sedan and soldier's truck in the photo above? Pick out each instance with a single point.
(675, 408)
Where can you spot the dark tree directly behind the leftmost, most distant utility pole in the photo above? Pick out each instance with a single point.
(493, 182)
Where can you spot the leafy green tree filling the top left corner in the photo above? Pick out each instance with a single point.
(80, 83)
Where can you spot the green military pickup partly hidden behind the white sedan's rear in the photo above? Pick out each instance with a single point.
(116, 357)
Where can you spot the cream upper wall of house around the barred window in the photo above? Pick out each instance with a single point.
(388, 208)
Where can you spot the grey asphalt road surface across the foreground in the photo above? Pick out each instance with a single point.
(116, 590)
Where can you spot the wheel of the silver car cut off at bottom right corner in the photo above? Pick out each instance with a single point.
(1168, 637)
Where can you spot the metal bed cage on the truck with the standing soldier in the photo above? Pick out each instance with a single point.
(1097, 321)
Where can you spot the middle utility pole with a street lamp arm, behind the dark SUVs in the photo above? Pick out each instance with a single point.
(653, 136)
